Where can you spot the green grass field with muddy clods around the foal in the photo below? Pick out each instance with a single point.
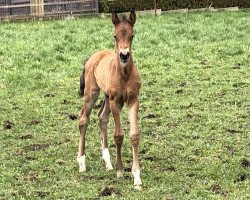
(194, 113)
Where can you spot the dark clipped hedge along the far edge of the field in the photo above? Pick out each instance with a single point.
(128, 5)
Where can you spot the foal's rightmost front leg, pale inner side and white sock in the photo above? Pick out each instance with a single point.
(133, 107)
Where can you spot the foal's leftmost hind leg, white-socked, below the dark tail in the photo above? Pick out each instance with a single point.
(90, 98)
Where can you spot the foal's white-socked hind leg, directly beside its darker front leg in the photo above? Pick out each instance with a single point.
(103, 123)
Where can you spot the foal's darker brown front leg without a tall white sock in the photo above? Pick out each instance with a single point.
(115, 108)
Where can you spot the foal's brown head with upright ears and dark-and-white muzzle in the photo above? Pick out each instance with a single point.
(124, 36)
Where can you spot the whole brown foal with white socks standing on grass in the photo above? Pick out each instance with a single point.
(117, 76)
